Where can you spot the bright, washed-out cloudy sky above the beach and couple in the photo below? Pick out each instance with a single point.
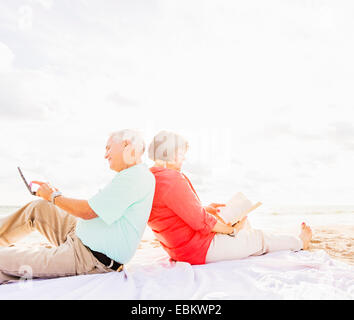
(263, 91)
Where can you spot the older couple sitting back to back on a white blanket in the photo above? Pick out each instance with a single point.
(102, 234)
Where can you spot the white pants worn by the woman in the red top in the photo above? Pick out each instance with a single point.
(249, 242)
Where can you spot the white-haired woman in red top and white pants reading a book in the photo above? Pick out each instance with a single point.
(192, 233)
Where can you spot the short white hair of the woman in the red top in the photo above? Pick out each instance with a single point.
(166, 146)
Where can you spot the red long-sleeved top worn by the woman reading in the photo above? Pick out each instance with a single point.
(178, 219)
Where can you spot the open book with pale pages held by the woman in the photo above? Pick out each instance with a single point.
(237, 208)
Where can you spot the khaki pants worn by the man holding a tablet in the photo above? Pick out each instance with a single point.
(67, 257)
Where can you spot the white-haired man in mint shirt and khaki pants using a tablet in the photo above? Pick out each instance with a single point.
(94, 236)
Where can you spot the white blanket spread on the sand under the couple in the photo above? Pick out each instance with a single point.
(151, 275)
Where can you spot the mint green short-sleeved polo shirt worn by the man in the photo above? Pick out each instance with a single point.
(123, 208)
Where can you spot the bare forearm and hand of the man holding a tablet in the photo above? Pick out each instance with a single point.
(77, 208)
